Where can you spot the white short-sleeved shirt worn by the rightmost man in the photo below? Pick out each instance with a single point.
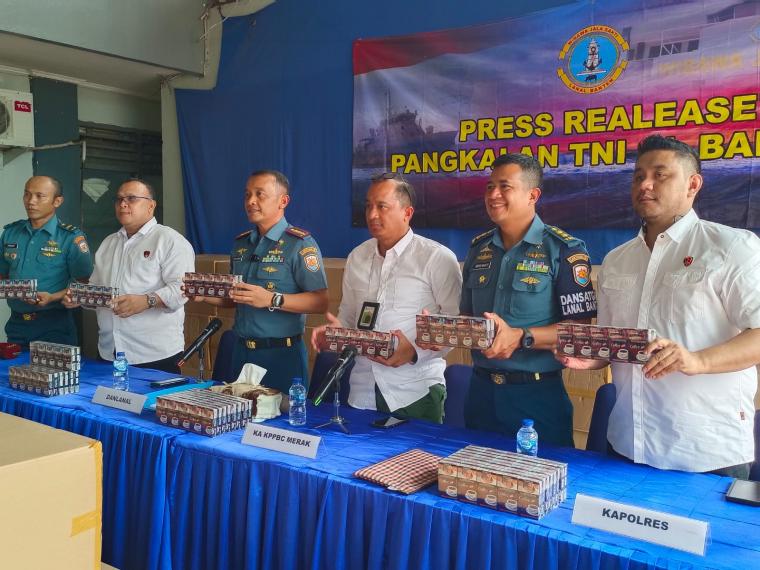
(699, 287)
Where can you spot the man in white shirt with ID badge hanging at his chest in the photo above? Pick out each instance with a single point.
(405, 274)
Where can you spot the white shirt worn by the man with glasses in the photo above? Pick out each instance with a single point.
(153, 260)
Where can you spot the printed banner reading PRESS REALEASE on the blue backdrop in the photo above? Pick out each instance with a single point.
(576, 87)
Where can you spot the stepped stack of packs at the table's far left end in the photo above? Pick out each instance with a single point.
(54, 370)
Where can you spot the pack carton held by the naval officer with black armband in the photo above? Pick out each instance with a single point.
(464, 332)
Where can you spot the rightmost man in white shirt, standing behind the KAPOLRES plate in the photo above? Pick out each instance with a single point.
(691, 407)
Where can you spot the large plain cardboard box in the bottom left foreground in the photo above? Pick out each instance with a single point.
(51, 492)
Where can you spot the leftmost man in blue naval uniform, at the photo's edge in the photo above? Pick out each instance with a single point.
(43, 248)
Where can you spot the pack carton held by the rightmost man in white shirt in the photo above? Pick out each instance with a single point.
(607, 343)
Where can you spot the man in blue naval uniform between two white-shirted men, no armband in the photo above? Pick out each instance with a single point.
(284, 279)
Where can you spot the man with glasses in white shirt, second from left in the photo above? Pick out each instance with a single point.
(145, 261)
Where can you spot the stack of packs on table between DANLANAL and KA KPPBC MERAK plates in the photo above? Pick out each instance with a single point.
(203, 412)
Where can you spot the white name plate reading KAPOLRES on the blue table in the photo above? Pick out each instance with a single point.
(651, 526)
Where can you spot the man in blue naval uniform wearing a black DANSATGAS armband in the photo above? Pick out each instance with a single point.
(526, 276)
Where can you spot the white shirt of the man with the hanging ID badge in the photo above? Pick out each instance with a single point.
(416, 274)
